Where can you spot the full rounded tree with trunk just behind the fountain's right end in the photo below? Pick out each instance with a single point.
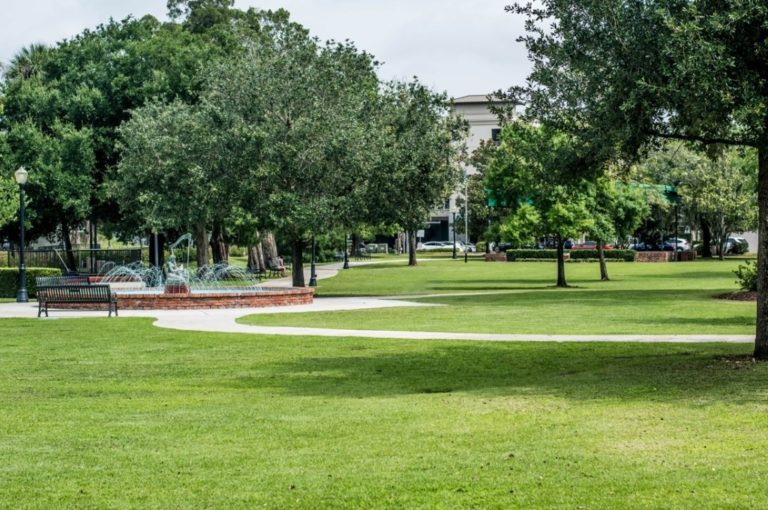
(308, 106)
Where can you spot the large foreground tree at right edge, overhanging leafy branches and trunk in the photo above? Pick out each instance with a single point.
(627, 73)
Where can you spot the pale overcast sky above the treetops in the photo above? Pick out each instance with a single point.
(460, 46)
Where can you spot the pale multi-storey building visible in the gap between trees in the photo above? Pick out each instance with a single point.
(483, 125)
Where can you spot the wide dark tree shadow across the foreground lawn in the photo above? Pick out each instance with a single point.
(676, 373)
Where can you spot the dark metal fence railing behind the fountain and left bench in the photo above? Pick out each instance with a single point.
(84, 261)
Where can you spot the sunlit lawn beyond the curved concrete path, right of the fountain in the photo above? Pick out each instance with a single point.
(640, 298)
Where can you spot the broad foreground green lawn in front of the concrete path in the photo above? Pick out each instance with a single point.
(102, 413)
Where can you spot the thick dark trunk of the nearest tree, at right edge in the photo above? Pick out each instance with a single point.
(761, 337)
